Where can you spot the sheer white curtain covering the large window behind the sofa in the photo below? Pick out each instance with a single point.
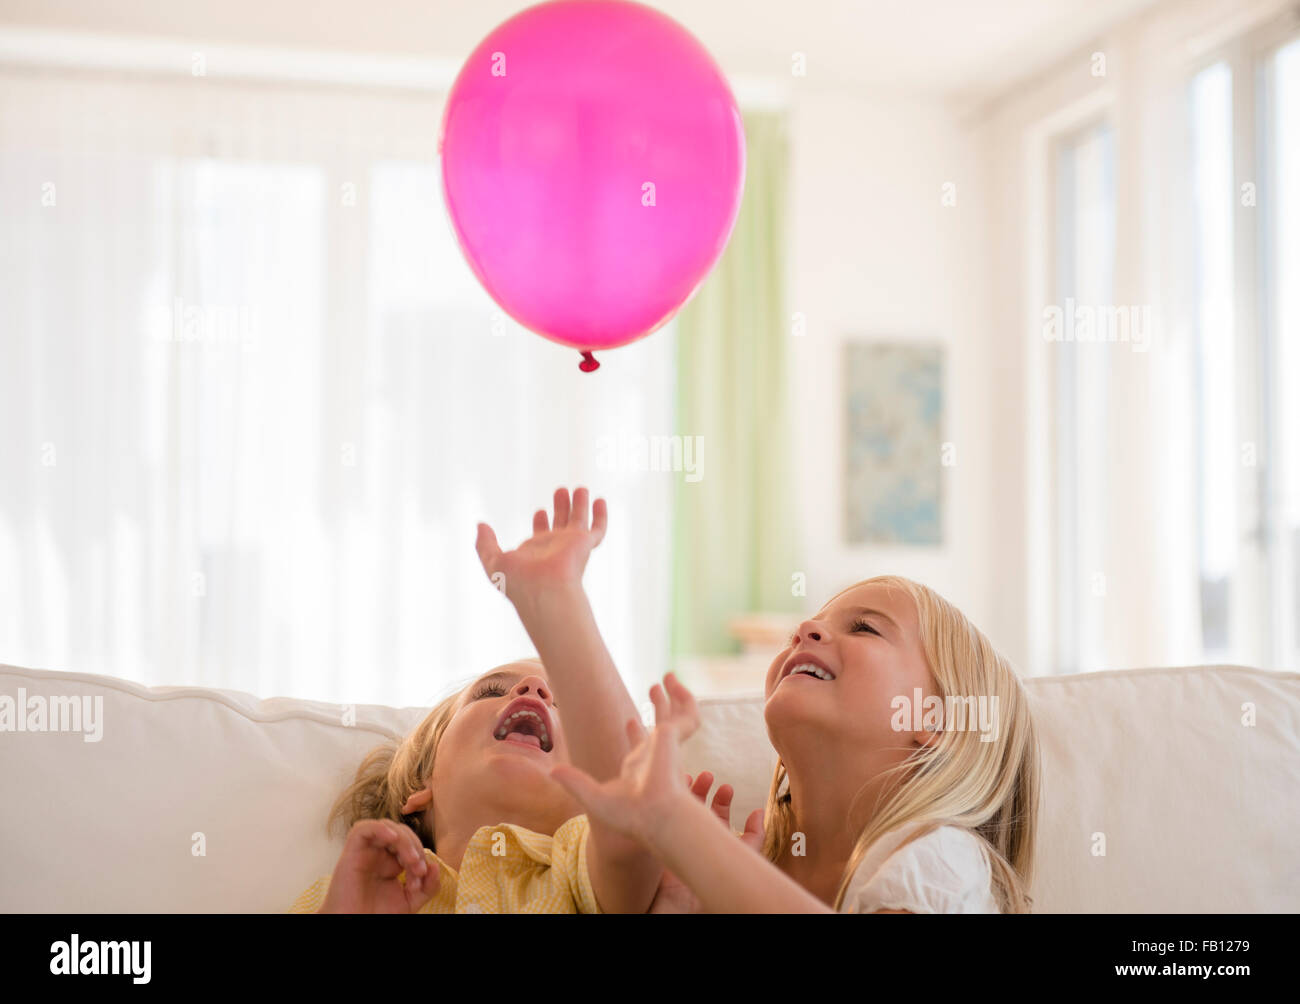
(253, 403)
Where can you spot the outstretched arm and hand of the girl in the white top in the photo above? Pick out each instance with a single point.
(648, 802)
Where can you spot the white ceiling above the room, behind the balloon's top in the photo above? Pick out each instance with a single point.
(968, 49)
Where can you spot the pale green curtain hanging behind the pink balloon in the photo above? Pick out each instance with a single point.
(734, 530)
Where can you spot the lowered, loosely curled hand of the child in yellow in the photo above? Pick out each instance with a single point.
(366, 877)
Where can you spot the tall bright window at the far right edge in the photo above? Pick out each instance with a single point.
(1245, 118)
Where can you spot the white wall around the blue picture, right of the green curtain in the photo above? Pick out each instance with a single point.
(877, 256)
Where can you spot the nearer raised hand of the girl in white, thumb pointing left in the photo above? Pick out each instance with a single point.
(649, 785)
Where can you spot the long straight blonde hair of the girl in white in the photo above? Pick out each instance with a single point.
(991, 789)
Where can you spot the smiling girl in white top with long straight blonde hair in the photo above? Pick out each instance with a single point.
(872, 808)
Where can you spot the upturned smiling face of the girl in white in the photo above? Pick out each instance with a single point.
(844, 668)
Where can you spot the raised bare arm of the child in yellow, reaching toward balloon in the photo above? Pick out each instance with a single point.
(544, 579)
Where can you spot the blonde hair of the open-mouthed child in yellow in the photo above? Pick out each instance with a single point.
(393, 773)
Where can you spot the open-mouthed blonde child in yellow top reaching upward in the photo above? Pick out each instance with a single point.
(463, 815)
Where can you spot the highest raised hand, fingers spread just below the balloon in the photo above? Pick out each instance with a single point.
(554, 556)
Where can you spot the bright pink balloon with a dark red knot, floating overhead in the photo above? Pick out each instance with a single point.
(593, 161)
